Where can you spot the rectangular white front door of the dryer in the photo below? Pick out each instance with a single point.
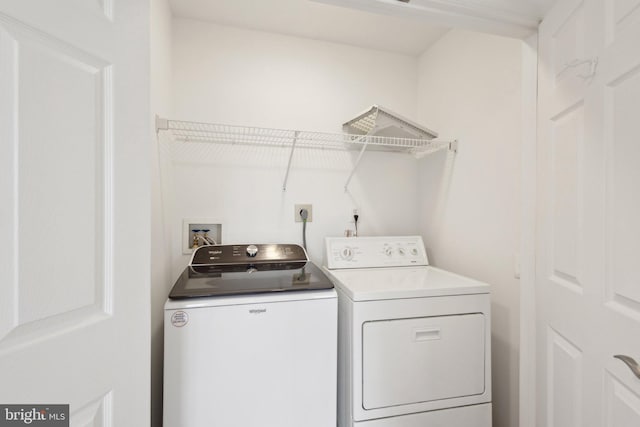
(423, 359)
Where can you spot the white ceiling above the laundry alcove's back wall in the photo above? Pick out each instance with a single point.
(328, 22)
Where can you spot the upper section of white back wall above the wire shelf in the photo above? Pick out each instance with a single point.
(236, 76)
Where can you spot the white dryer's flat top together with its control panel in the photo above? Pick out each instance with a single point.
(380, 268)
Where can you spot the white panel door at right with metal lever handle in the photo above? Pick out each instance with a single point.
(588, 246)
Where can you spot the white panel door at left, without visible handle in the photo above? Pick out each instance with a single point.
(74, 127)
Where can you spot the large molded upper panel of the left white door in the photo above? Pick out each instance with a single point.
(39, 143)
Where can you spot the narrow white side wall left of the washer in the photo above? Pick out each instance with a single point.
(161, 104)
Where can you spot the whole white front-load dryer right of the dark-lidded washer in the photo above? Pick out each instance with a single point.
(413, 340)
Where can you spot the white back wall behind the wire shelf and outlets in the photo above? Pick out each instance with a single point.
(235, 76)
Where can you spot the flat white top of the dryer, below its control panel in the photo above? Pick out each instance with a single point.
(403, 282)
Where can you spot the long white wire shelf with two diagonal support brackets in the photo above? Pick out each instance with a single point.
(186, 131)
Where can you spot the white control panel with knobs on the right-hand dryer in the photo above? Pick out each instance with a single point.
(366, 252)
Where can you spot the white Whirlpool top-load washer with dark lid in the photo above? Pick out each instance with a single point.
(250, 340)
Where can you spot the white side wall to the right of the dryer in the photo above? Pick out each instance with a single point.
(471, 89)
